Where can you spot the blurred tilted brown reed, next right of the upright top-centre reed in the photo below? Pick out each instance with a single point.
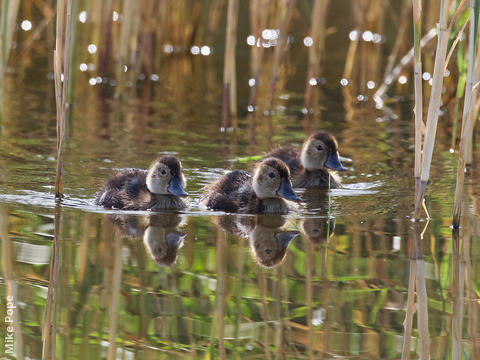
(286, 14)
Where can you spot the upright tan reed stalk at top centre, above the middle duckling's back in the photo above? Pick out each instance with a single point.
(229, 64)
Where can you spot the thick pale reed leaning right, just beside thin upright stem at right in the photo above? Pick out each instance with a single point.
(433, 107)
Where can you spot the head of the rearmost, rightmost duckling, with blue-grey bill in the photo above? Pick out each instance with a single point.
(320, 151)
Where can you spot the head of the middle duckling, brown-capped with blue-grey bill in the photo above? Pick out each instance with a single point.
(271, 179)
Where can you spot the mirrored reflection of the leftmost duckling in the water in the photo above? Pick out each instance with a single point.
(160, 234)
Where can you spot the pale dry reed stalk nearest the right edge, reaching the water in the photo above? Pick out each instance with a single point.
(467, 121)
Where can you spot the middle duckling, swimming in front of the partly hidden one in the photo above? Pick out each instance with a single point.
(264, 192)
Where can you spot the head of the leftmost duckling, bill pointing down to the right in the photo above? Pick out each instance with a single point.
(165, 177)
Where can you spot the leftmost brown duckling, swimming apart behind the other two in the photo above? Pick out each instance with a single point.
(161, 187)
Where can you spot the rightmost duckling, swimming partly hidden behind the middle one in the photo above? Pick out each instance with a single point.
(312, 166)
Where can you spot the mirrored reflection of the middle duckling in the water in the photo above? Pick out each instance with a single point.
(268, 242)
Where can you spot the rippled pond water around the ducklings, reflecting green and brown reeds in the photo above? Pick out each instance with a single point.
(329, 281)
